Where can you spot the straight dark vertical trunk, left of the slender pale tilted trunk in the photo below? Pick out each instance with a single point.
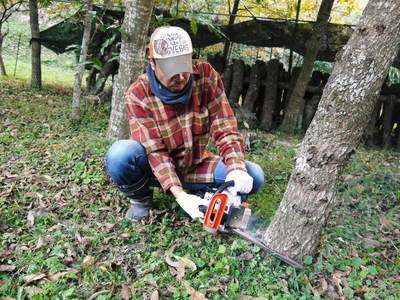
(36, 77)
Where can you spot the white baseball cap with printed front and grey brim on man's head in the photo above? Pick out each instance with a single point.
(171, 48)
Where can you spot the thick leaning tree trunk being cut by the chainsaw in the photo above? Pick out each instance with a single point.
(336, 130)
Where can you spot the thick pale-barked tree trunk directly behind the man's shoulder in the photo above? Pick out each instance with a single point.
(135, 26)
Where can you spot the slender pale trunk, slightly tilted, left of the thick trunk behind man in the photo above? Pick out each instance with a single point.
(76, 96)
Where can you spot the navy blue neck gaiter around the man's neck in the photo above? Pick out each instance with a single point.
(165, 95)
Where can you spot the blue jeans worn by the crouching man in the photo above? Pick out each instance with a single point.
(129, 169)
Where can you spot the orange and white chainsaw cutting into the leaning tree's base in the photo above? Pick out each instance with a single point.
(231, 213)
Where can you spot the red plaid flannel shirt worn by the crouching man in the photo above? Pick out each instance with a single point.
(176, 136)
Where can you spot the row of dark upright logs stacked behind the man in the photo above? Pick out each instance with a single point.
(262, 91)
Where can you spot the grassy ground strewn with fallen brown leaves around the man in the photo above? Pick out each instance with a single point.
(63, 235)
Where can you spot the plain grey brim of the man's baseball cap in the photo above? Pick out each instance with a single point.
(175, 65)
